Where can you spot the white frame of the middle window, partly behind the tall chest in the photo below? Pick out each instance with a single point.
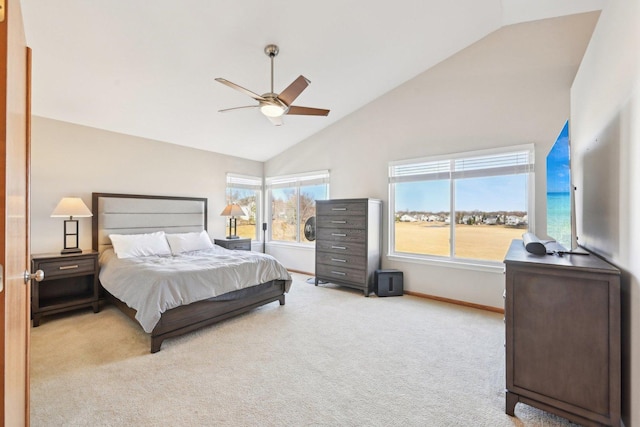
(288, 181)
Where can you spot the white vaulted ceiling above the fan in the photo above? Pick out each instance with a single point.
(147, 68)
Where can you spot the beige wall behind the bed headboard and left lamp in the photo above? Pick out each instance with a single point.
(72, 160)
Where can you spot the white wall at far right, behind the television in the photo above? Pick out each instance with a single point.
(605, 144)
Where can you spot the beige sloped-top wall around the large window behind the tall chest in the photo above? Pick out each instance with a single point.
(510, 88)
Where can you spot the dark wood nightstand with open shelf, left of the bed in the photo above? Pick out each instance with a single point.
(70, 282)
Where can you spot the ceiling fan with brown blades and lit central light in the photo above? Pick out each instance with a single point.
(272, 105)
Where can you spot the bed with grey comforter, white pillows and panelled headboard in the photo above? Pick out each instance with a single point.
(136, 216)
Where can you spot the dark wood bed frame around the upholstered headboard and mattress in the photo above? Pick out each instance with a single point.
(187, 318)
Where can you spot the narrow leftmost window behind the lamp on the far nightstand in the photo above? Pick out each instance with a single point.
(246, 191)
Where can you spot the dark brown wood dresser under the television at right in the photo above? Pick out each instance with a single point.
(562, 317)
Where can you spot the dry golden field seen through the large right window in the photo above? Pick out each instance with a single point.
(478, 241)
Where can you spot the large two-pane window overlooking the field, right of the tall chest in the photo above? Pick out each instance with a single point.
(467, 206)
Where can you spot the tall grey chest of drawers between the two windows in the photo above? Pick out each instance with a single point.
(348, 242)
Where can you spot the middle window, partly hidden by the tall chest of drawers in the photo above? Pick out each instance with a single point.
(293, 201)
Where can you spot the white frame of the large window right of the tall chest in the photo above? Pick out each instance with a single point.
(452, 175)
